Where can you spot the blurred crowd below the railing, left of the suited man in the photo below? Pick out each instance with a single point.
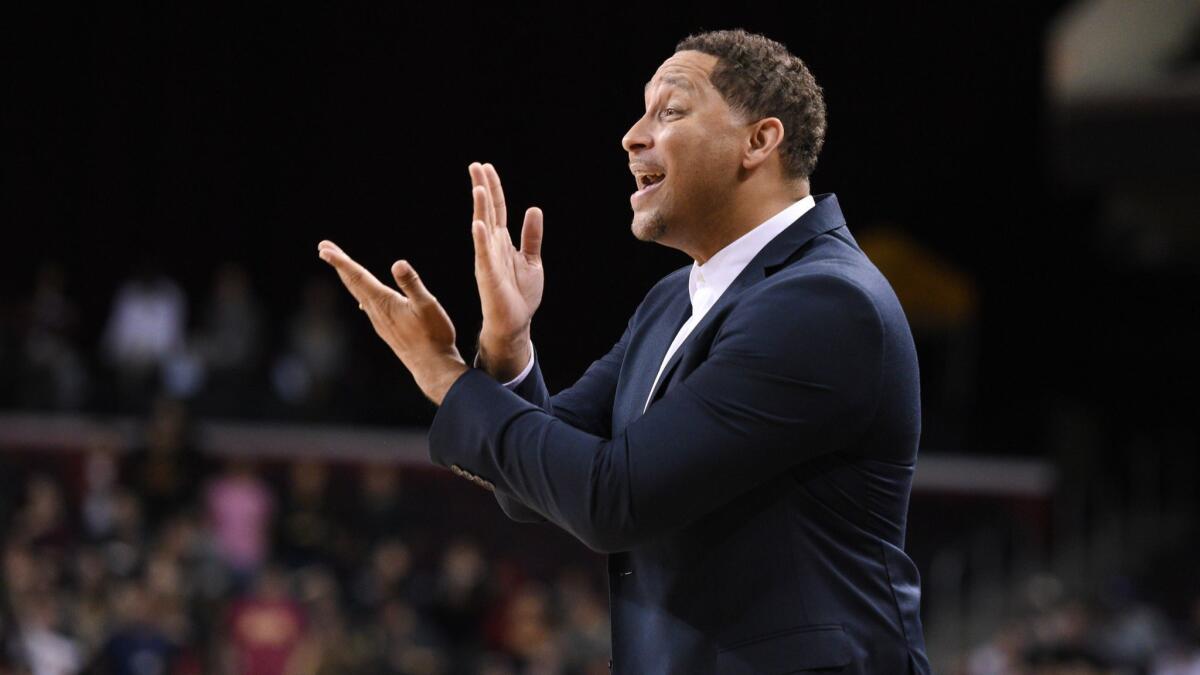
(164, 561)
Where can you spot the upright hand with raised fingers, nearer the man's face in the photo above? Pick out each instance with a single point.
(511, 280)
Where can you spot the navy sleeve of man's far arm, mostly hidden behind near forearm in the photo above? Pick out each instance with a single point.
(587, 405)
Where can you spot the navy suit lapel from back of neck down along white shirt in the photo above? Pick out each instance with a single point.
(823, 218)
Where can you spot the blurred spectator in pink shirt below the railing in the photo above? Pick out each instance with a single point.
(239, 510)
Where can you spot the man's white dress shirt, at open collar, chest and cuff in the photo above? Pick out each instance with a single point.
(709, 282)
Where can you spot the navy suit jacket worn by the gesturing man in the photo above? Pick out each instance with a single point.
(755, 513)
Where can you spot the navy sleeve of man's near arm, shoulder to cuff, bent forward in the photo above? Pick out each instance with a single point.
(793, 374)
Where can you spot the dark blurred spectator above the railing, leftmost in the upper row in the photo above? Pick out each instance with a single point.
(53, 374)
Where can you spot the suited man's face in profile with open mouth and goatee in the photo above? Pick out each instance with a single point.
(686, 152)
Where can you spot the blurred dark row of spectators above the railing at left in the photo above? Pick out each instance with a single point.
(221, 354)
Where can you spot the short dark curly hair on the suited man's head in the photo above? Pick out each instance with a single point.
(760, 79)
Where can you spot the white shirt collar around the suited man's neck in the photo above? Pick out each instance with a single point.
(709, 282)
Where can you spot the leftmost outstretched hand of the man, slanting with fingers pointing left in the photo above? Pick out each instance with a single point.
(413, 324)
